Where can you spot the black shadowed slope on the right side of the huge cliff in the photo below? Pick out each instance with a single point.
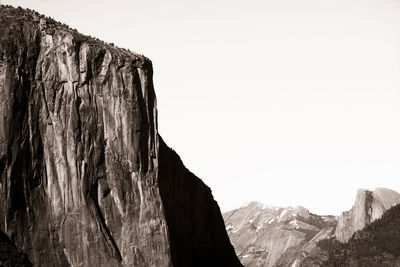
(204, 241)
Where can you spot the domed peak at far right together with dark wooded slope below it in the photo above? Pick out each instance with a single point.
(364, 236)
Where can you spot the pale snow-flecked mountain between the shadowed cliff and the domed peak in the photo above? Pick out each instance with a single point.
(271, 236)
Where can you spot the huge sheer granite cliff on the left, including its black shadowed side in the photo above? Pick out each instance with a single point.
(85, 178)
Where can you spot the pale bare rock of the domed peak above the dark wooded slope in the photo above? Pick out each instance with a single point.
(369, 206)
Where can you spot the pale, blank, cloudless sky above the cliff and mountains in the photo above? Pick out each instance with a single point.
(285, 102)
